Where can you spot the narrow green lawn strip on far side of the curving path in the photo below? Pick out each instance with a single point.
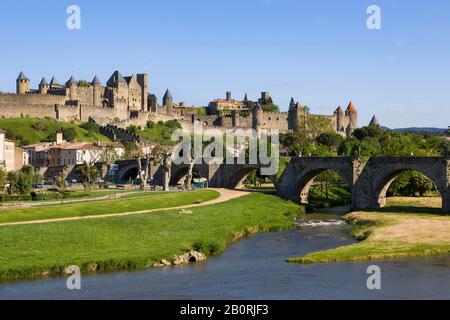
(128, 204)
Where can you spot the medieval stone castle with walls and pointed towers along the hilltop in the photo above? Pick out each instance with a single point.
(126, 101)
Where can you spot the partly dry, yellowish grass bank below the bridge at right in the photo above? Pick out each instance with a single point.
(390, 234)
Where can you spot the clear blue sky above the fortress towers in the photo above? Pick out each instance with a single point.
(319, 52)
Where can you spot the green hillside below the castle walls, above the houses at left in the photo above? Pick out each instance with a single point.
(25, 131)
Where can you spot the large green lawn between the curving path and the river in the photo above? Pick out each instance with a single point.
(137, 241)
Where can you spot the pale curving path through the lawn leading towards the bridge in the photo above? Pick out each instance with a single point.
(225, 195)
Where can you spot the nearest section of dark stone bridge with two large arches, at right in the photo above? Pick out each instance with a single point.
(369, 180)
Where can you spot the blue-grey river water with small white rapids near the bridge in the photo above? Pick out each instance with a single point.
(255, 268)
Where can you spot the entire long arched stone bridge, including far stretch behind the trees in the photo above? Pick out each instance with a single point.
(368, 179)
